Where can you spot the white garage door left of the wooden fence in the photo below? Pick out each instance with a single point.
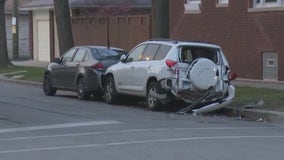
(43, 48)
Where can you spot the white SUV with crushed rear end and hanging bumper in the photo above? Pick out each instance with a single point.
(167, 70)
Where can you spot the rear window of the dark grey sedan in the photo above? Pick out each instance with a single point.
(103, 53)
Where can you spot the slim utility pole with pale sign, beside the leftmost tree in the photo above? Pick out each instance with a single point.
(15, 28)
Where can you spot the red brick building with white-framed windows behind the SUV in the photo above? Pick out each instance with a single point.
(250, 31)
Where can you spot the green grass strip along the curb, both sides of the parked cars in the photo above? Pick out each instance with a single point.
(273, 99)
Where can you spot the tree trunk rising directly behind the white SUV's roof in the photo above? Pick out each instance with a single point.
(160, 19)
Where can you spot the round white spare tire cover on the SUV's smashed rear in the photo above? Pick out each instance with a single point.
(203, 74)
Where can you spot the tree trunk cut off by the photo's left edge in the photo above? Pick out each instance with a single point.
(4, 59)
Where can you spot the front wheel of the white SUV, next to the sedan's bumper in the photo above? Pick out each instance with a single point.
(110, 93)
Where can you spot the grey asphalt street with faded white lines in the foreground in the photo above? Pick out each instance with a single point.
(34, 126)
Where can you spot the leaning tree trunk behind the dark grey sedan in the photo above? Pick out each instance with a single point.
(63, 23)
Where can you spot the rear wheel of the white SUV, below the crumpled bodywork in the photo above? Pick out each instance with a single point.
(152, 102)
